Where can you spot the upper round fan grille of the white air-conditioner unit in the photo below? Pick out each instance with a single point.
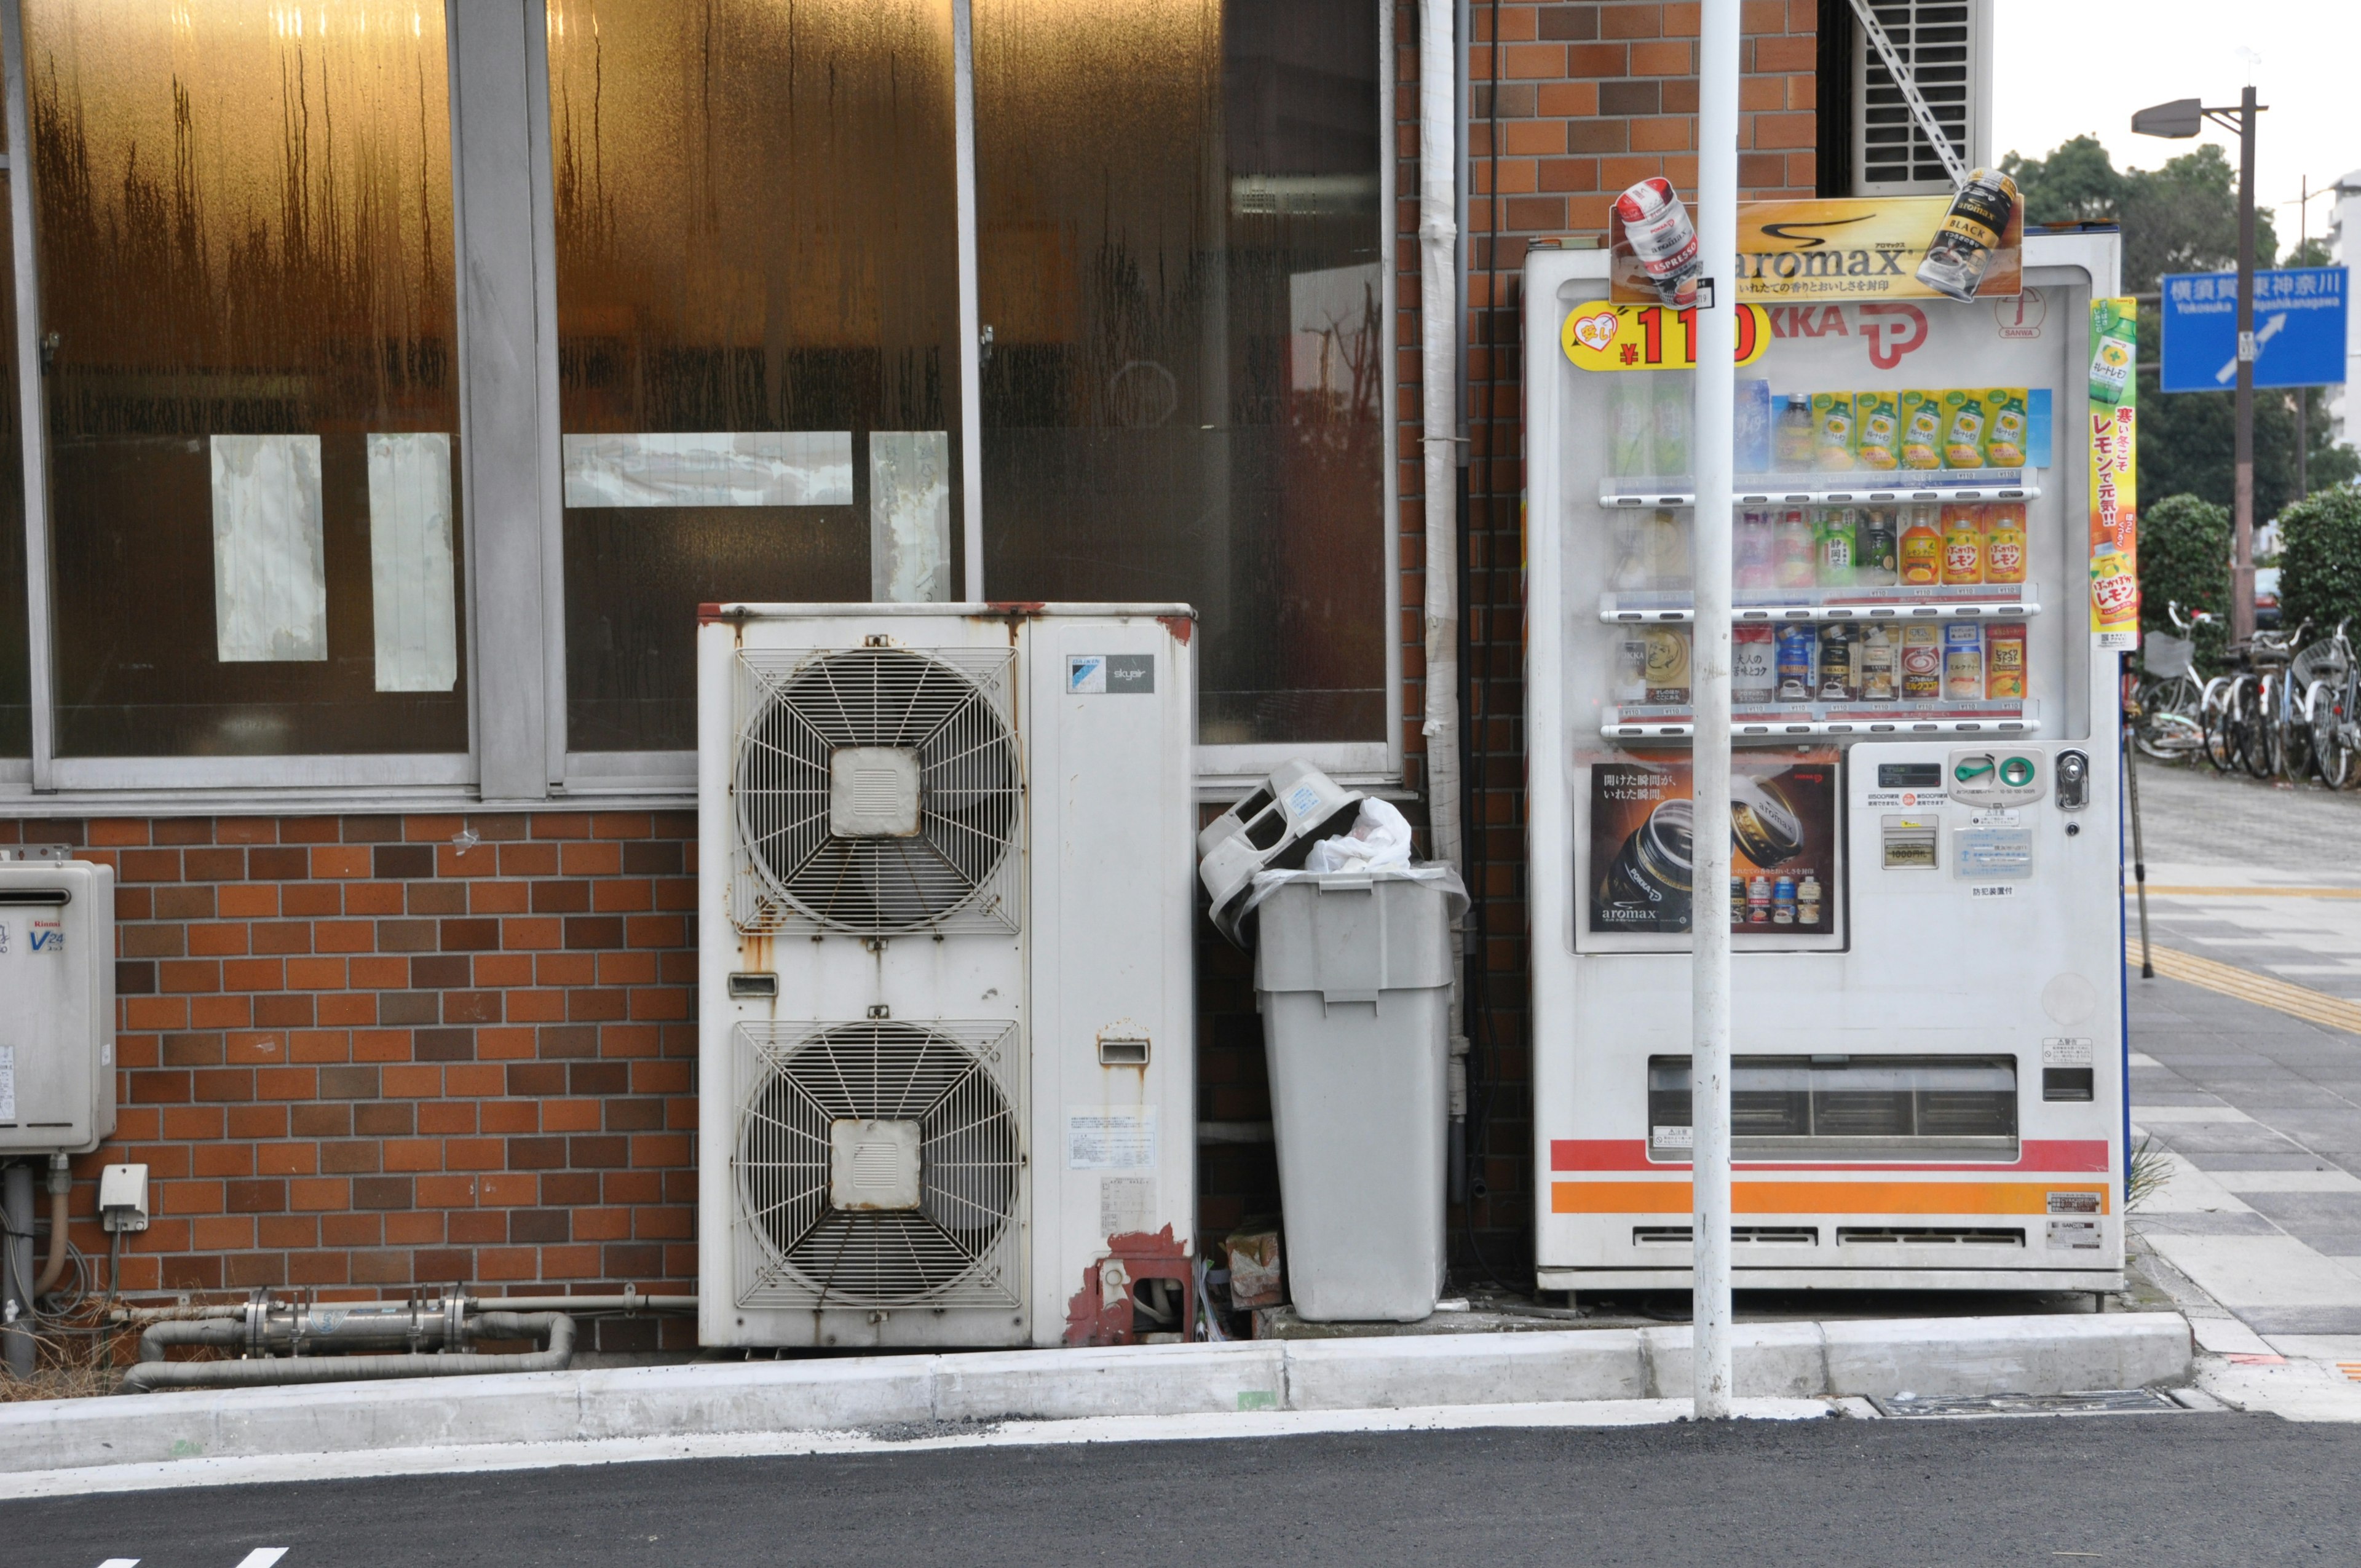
(955, 712)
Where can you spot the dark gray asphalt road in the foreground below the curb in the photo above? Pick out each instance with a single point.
(2145, 1489)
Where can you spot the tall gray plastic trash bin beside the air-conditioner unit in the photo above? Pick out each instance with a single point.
(1354, 979)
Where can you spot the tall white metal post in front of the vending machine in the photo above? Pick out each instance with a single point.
(1711, 677)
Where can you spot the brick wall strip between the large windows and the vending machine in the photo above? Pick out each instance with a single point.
(1585, 100)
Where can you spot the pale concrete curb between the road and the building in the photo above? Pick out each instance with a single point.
(1779, 1361)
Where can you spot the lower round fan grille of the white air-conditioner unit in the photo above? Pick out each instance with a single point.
(960, 1246)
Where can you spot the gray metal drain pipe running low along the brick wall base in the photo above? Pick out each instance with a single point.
(270, 1371)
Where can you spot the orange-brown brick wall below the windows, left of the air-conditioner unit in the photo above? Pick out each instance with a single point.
(372, 1052)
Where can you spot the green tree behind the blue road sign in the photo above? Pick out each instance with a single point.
(2185, 218)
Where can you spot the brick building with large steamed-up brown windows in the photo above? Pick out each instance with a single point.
(388, 386)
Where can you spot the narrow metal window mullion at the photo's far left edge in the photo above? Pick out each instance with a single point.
(32, 422)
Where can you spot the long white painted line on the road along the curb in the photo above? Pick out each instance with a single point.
(792, 1444)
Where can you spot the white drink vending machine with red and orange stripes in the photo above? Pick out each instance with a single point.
(1932, 580)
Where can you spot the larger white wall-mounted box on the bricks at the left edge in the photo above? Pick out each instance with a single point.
(58, 1007)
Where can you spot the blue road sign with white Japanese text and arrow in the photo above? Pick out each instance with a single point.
(2298, 329)
